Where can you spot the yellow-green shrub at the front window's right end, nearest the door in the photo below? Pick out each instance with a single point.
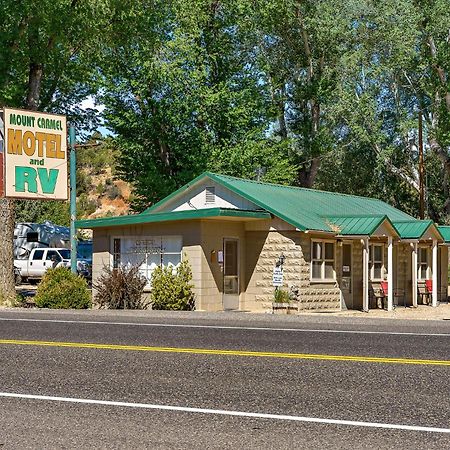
(172, 288)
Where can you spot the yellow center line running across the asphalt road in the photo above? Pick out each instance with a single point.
(204, 351)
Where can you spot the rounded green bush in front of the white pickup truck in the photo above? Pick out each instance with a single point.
(60, 288)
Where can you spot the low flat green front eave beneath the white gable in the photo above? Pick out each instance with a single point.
(170, 216)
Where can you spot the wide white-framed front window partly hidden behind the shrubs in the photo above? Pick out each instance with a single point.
(147, 252)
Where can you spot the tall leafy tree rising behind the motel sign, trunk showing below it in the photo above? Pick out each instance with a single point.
(49, 54)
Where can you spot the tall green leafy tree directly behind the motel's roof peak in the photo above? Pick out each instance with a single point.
(185, 96)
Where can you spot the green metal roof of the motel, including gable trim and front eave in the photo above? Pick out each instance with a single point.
(306, 209)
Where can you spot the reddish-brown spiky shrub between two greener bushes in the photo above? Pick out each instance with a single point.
(120, 288)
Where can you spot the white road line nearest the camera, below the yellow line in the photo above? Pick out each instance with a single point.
(228, 413)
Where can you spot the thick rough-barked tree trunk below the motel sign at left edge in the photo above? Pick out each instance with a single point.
(7, 288)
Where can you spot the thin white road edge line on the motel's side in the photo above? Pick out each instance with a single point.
(223, 327)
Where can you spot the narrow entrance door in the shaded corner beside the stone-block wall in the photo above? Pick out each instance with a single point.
(231, 274)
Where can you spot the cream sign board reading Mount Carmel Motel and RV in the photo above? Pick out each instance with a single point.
(35, 155)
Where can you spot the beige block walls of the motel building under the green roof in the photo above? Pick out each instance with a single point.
(260, 245)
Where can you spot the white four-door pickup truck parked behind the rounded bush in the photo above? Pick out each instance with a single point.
(41, 259)
